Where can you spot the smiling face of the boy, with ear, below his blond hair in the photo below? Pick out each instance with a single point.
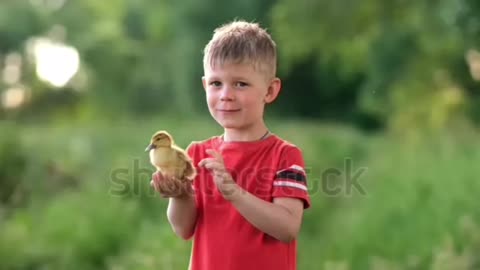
(237, 93)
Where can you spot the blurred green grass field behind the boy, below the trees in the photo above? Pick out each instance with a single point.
(420, 210)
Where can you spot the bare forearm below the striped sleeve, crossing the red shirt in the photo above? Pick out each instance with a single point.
(274, 220)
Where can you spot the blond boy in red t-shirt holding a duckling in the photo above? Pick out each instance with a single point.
(249, 195)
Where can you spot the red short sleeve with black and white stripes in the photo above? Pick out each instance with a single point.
(290, 177)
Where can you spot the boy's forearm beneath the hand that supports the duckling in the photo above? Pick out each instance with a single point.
(182, 215)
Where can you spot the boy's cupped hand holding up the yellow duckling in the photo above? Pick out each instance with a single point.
(170, 188)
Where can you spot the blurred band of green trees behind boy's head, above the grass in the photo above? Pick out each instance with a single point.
(372, 63)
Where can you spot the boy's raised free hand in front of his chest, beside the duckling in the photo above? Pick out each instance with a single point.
(222, 178)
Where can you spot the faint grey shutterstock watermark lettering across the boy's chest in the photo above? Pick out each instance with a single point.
(334, 181)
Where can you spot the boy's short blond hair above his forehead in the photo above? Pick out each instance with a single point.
(242, 42)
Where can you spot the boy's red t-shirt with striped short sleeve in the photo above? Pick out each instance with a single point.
(223, 238)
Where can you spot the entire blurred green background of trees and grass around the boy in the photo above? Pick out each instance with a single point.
(385, 94)
